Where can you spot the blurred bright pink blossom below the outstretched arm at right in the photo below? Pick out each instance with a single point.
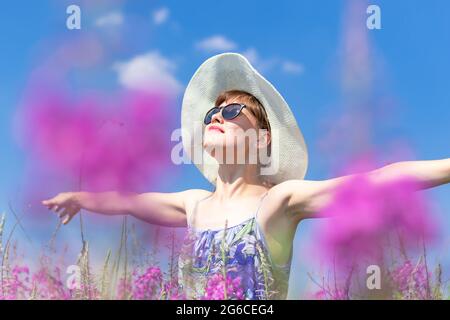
(362, 216)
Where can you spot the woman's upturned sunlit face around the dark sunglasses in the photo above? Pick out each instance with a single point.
(232, 141)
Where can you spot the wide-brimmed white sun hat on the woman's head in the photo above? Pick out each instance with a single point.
(232, 71)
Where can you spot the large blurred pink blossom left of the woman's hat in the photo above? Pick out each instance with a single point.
(105, 145)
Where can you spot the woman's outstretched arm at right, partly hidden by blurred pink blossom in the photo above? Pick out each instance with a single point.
(304, 199)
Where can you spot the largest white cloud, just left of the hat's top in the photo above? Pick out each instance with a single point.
(148, 72)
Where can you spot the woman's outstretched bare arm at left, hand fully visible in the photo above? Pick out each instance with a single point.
(167, 209)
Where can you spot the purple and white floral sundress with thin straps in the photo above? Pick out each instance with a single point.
(240, 252)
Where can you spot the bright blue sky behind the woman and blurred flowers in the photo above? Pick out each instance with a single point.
(295, 44)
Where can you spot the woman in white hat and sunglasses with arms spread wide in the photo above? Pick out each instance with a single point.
(246, 226)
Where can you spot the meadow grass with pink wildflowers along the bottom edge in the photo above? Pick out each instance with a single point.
(127, 274)
